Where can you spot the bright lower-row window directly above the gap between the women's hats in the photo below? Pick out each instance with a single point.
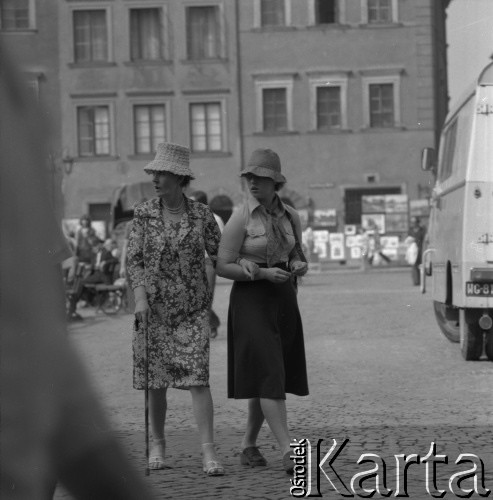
(206, 129)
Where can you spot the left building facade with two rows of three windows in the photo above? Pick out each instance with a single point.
(136, 73)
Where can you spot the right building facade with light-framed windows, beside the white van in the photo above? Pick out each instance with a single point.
(345, 91)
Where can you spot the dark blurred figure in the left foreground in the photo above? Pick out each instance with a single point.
(52, 425)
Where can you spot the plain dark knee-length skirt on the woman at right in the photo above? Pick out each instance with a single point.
(266, 351)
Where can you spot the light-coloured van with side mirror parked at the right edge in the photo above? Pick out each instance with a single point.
(459, 246)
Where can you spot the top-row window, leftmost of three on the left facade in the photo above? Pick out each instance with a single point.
(90, 36)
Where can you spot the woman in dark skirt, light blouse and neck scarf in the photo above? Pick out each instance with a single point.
(260, 251)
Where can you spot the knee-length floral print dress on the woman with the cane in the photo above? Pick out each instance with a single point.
(168, 258)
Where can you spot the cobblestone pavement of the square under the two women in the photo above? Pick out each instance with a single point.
(381, 375)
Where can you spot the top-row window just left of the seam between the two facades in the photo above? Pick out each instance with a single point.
(204, 33)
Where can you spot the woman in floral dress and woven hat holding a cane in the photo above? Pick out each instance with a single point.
(166, 267)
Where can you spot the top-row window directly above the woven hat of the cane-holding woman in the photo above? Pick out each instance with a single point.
(146, 34)
